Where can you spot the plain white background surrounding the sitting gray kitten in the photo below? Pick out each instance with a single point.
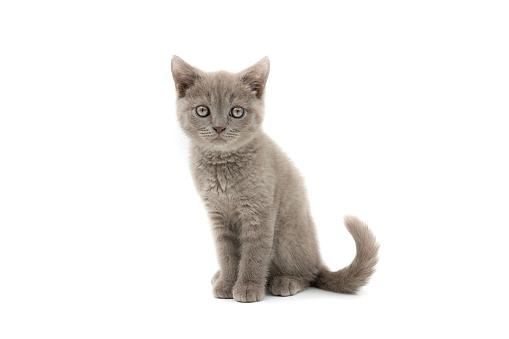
(395, 111)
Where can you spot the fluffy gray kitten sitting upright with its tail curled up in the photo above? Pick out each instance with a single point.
(254, 195)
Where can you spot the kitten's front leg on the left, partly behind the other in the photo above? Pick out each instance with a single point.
(227, 248)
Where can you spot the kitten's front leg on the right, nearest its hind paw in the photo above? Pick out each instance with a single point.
(256, 238)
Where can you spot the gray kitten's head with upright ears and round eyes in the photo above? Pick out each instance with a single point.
(220, 110)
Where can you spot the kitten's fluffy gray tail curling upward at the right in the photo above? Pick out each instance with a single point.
(351, 278)
